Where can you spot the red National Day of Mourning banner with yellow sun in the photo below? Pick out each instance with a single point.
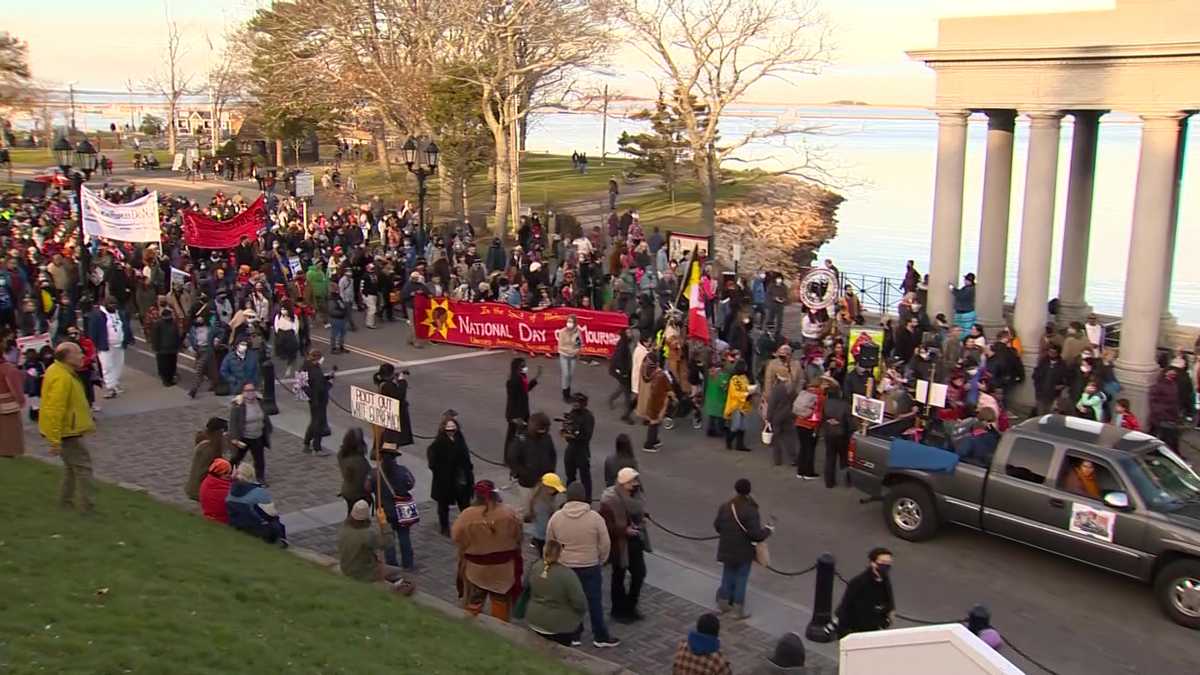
(496, 326)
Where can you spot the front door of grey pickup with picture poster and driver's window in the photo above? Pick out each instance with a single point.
(1090, 530)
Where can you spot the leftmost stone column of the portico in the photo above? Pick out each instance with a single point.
(946, 243)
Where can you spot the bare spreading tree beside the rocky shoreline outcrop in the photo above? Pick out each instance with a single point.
(710, 53)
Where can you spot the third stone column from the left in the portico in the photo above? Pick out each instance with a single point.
(1037, 231)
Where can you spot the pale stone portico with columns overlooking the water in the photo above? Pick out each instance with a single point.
(1141, 58)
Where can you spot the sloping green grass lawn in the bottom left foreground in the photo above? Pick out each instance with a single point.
(146, 588)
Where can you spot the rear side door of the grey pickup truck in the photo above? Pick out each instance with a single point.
(1017, 500)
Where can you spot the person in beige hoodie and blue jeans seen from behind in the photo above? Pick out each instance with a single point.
(585, 539)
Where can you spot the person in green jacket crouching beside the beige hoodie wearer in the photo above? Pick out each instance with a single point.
(557, 604)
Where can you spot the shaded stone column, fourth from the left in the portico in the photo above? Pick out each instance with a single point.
(1077, 230)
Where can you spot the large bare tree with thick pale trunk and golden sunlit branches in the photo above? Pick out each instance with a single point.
(511, 49)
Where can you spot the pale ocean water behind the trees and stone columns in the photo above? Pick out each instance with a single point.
(883, 162)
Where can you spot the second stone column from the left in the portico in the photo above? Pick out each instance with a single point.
(998, 184)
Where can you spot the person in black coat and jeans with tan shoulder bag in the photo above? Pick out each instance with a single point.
(740, 528)
